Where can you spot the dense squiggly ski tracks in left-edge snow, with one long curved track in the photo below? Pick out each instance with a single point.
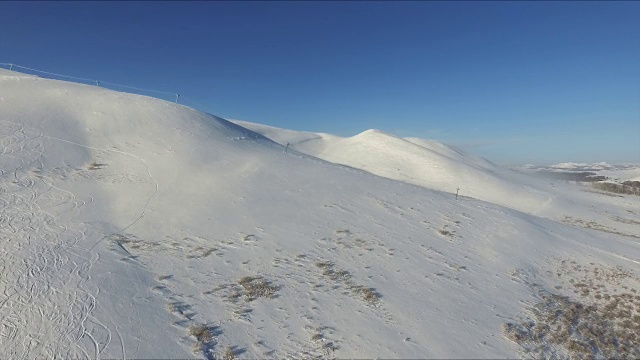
(43, 271)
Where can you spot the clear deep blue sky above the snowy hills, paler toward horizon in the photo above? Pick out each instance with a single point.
(516, 82)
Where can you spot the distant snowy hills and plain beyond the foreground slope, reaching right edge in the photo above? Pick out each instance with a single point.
(441, 167)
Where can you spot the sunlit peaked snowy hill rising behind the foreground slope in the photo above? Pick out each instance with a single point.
(417, 161)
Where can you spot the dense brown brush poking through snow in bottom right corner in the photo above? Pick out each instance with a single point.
(601, 319)
